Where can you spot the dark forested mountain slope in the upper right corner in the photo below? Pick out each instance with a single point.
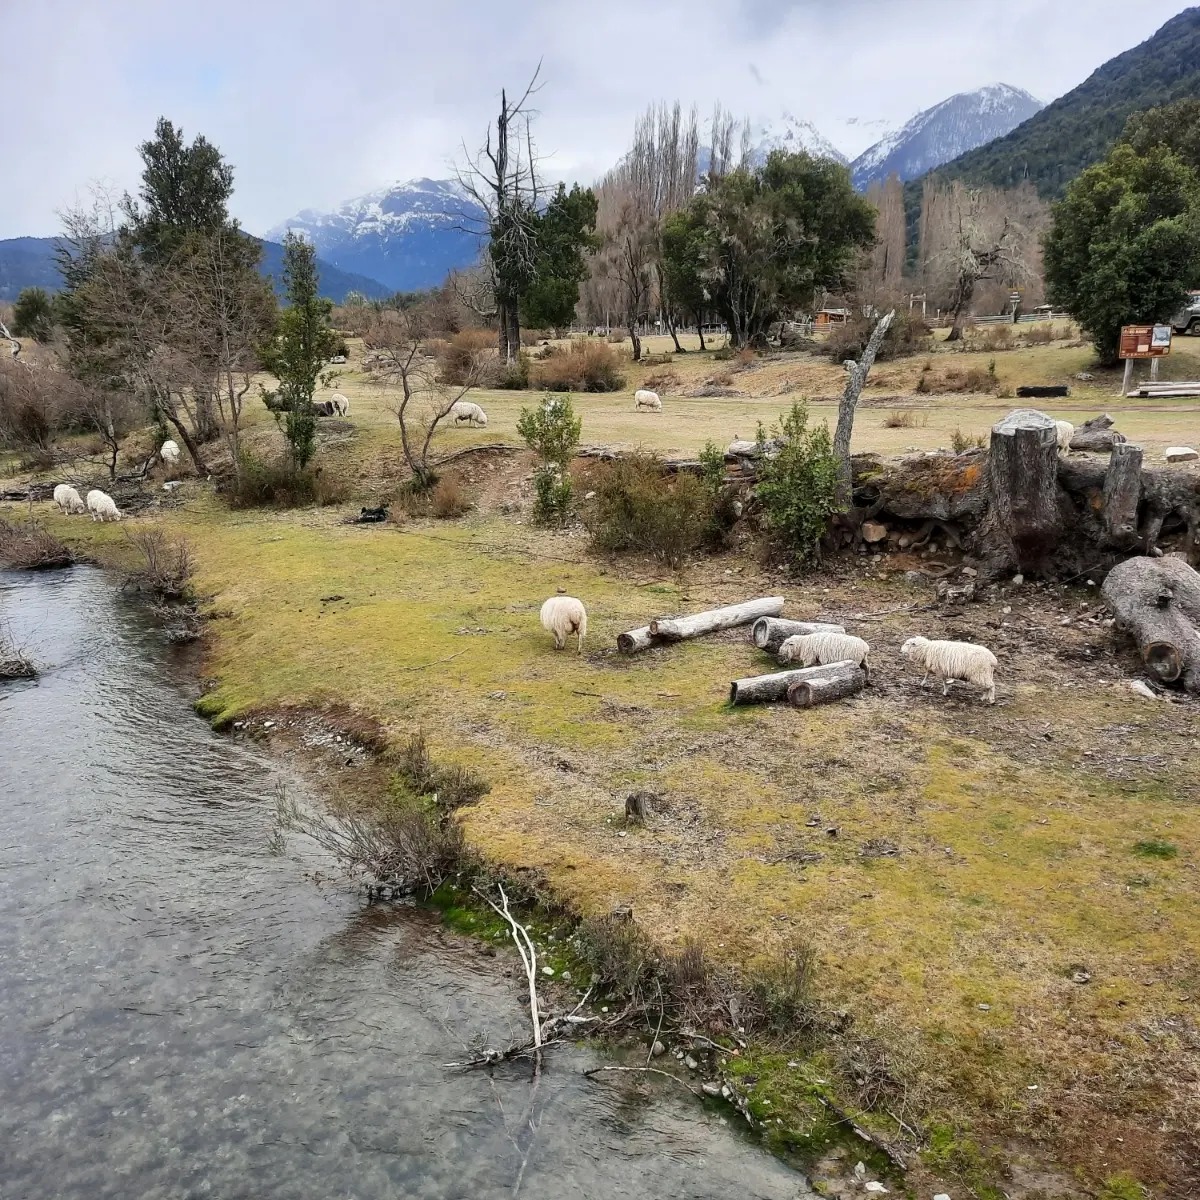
(1081, 128)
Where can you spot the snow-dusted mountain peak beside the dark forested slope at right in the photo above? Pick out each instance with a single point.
(944, 133)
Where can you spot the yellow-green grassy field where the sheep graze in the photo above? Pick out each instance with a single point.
(1010, 909)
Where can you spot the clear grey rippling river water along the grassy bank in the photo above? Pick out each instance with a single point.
(184, 1013)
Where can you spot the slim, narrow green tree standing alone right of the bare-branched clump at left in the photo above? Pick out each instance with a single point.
(303, 346)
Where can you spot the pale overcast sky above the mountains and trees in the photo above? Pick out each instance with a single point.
(315, 104)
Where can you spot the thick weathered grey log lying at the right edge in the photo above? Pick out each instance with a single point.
(1157, 601)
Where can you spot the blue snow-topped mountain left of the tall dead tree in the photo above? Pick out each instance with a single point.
(409, 236)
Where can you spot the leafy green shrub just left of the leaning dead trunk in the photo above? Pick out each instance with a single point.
(797, 487)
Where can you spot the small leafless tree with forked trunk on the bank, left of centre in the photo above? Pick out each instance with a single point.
(397, 344)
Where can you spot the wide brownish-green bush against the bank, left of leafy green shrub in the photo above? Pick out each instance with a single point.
(640, 508)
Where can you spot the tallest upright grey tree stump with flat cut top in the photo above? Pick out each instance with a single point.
(1024, 525)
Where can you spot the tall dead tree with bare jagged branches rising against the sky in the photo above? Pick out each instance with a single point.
(502, 179)
